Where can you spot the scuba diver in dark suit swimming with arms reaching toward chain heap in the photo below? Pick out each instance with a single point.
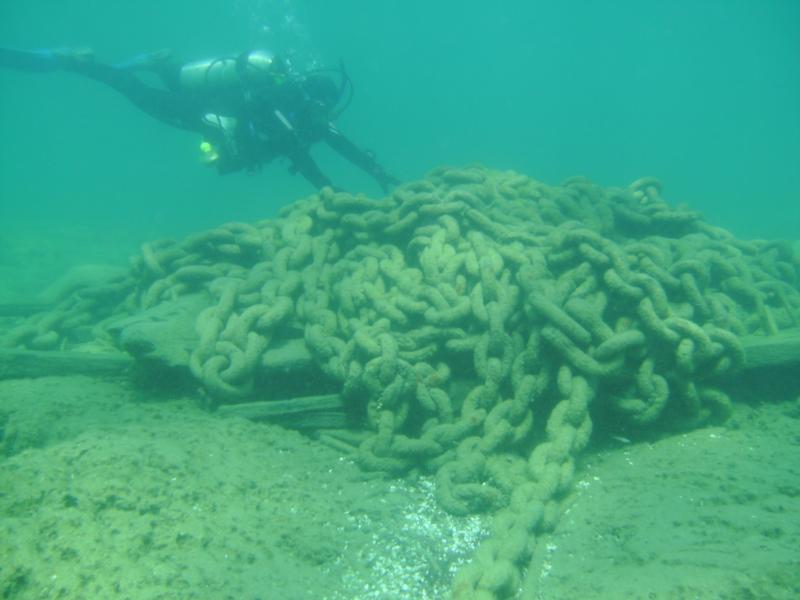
(250, 108)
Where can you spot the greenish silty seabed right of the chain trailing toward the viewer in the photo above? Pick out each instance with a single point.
(711, 514)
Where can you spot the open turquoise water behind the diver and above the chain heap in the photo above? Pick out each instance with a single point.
(703, 95)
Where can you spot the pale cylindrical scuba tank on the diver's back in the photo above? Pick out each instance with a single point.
(218, 73)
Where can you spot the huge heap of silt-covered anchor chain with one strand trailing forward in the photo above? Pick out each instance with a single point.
(474, 320)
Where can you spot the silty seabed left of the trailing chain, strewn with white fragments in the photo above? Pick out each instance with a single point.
(107, 493)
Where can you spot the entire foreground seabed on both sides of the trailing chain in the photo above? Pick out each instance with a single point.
(108, 493)
